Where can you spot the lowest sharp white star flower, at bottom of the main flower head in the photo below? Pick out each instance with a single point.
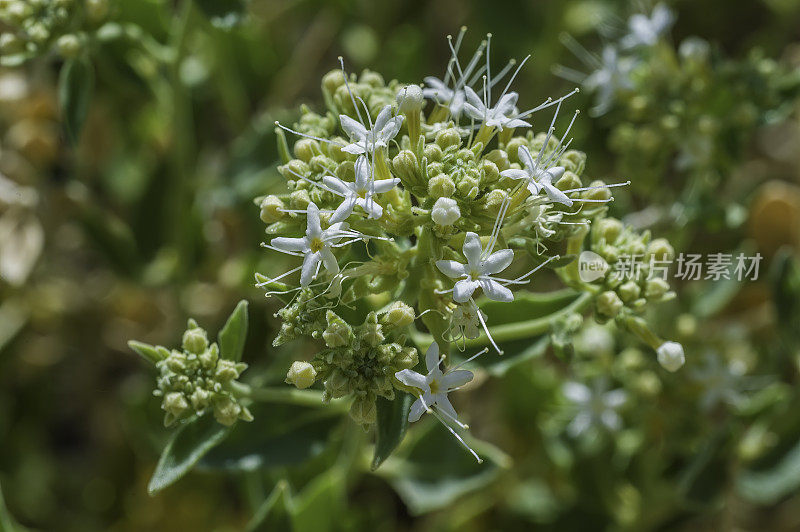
(433, 387)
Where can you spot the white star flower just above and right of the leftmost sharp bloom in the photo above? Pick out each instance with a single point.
(360, 192)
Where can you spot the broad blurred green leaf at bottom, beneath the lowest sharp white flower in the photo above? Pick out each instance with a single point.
(435, 470)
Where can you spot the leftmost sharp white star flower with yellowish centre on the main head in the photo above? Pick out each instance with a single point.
(315, 247)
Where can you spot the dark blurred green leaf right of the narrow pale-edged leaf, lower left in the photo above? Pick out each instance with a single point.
(279, 437)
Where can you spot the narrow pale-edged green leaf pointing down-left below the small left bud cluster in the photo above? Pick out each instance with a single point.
(186, 447)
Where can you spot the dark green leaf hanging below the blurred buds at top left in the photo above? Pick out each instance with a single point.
(75, 87)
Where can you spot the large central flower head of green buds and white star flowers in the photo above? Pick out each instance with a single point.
(420, 215)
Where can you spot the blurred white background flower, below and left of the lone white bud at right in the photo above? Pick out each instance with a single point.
(594, 407)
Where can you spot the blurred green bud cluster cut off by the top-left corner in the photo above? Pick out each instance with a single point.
(33, 27)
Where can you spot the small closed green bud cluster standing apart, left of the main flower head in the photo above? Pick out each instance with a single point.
(195, 380)
